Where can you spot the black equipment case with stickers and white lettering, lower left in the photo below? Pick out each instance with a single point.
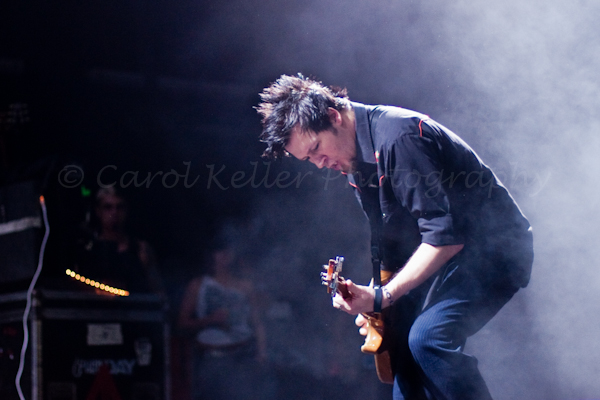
(85, 346)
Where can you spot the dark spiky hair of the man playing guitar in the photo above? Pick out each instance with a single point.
(295, 100)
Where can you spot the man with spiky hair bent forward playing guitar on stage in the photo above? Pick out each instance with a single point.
(429, 198)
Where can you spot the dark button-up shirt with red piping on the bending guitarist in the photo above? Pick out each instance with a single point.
(433, 188)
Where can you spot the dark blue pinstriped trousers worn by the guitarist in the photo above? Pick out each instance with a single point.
(431, 327)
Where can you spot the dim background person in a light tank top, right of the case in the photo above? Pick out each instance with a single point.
(220, 311)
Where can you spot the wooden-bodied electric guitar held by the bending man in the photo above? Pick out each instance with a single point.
(375, 342)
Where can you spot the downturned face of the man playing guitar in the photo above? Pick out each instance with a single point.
(332, 148)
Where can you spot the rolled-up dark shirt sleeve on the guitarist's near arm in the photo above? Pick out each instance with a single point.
(413, 168)
